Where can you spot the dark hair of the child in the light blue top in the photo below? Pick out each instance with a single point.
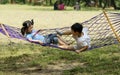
(26, 24)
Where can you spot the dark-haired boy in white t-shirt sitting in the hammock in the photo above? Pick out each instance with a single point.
(80, 35)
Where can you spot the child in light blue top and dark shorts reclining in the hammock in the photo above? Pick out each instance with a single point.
(33, 36)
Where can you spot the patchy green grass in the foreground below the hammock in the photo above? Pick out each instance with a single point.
(34, 59)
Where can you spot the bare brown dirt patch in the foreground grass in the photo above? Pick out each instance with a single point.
(50, 69)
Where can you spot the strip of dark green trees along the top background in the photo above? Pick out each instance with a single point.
(84, 3)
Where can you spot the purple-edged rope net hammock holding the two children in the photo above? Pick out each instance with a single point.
(104, 29)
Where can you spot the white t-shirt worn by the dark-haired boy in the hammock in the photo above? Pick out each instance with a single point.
(82, 41)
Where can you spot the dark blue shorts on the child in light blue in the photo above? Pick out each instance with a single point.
(51, 39)
